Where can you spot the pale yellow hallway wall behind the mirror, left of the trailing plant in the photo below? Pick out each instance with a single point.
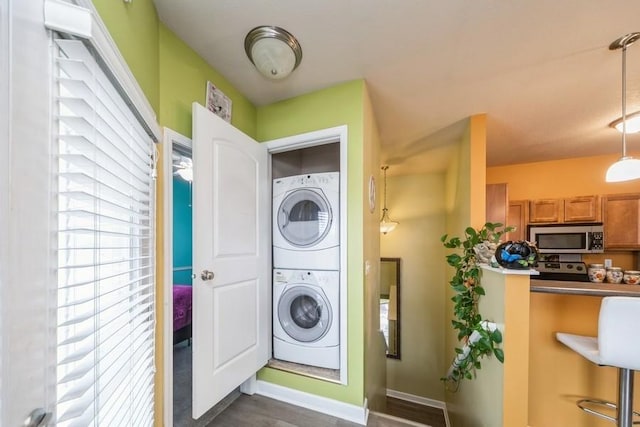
(417, 202)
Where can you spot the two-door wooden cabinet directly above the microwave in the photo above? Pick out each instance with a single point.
(573, 209)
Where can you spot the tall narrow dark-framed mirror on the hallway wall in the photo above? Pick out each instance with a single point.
(390, 304)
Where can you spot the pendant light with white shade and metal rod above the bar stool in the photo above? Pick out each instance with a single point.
(627, 168)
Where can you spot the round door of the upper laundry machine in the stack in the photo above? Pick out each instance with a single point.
(304, 217)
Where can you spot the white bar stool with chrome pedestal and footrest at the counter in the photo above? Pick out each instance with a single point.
(617, 345)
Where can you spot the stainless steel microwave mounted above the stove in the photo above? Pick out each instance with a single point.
(568, 238)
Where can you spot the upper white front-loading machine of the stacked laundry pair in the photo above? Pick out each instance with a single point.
(306, 221)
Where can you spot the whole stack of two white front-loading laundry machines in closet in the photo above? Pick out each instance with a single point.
(306, 275)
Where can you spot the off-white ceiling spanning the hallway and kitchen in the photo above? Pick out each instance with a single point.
(540, 69)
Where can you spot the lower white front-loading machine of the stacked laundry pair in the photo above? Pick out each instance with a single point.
(306, 311)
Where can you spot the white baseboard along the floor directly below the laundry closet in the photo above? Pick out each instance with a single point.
(325, 405)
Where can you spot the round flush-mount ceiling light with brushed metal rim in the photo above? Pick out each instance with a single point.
(273, 50)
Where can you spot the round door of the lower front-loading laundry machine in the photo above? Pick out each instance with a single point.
(304, 313)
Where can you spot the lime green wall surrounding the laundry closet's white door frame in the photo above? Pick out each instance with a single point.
(338, 105)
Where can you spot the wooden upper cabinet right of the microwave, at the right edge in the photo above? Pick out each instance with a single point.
(621, 219)
